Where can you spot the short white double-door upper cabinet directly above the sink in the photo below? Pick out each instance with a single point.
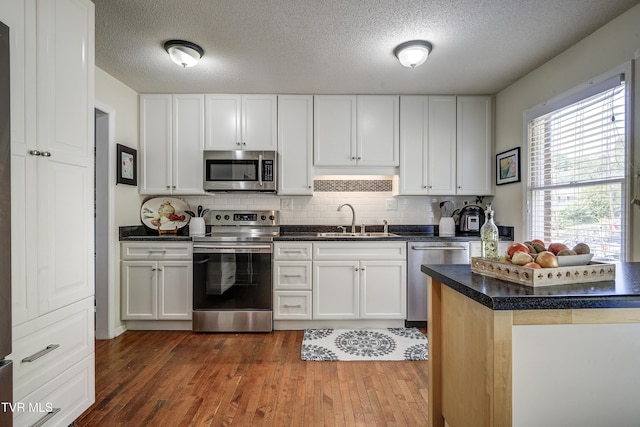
(356, 130)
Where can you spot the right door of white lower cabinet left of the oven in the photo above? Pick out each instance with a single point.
(175, 290)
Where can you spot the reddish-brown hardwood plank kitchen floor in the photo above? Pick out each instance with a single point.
(167, 378)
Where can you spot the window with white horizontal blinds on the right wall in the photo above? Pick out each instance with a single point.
(577, 175)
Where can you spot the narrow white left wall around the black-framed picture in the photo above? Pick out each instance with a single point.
(123, 101)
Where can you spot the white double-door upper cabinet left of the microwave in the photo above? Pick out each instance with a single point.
(172, 141)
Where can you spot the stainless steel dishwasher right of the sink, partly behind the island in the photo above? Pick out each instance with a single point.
(433, 252)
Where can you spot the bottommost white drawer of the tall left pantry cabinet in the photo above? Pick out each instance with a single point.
(67, 396)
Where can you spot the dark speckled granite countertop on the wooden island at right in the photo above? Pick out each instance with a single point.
(623, 292)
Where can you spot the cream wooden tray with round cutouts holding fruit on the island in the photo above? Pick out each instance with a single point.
(592, 272)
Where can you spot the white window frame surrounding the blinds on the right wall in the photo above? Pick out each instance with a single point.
(567, 98)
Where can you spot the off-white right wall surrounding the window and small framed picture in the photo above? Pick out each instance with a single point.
(610, 46)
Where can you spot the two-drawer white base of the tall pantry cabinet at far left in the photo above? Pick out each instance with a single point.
(53, 359)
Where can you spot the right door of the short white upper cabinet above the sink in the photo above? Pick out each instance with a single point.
(378, 142)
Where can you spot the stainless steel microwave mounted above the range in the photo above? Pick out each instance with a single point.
(240, 170)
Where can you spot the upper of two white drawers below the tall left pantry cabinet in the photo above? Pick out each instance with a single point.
(49, 344)
